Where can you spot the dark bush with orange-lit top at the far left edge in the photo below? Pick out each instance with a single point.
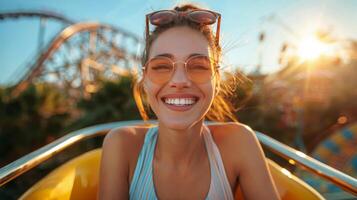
(30, 119)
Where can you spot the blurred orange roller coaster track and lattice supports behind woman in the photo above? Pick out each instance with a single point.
(80, 54)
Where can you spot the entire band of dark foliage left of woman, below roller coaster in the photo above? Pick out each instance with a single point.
(42, 113)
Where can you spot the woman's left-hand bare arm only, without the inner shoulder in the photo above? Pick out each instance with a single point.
(114, 169)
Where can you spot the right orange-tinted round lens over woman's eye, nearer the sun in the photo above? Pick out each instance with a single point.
(199, 69)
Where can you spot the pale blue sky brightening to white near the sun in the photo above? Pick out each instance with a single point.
(242, 22)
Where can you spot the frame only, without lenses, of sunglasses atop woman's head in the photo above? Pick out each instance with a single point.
(187, 15)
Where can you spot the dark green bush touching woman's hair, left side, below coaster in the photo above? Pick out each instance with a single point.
(112, 102)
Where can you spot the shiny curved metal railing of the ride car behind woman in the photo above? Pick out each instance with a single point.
(18, 167)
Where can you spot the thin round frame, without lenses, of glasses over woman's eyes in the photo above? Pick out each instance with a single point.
(214, 69)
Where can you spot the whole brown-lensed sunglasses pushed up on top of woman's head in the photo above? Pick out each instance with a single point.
(199, 16)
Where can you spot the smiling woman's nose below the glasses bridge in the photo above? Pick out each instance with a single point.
(179, 77)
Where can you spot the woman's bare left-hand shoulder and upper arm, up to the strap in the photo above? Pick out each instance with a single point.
(120, 148)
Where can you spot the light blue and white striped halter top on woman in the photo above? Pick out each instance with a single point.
(142, 186)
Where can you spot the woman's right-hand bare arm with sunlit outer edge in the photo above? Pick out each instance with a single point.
(255, 179)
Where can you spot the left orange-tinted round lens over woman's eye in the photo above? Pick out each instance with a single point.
(159, 69)
